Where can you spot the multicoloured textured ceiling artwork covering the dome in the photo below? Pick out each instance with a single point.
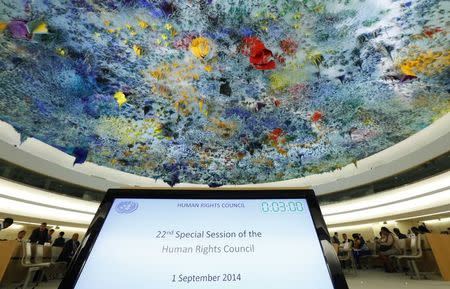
(223, 91)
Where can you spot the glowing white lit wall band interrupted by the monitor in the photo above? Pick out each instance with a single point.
(429, 196)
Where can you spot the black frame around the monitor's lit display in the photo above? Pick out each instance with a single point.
(80, 258)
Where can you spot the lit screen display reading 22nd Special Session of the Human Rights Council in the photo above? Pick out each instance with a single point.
(206, 243)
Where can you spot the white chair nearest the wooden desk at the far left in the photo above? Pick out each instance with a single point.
(32, 267)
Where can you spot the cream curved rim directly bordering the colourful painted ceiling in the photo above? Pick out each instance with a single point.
(425, 145)
